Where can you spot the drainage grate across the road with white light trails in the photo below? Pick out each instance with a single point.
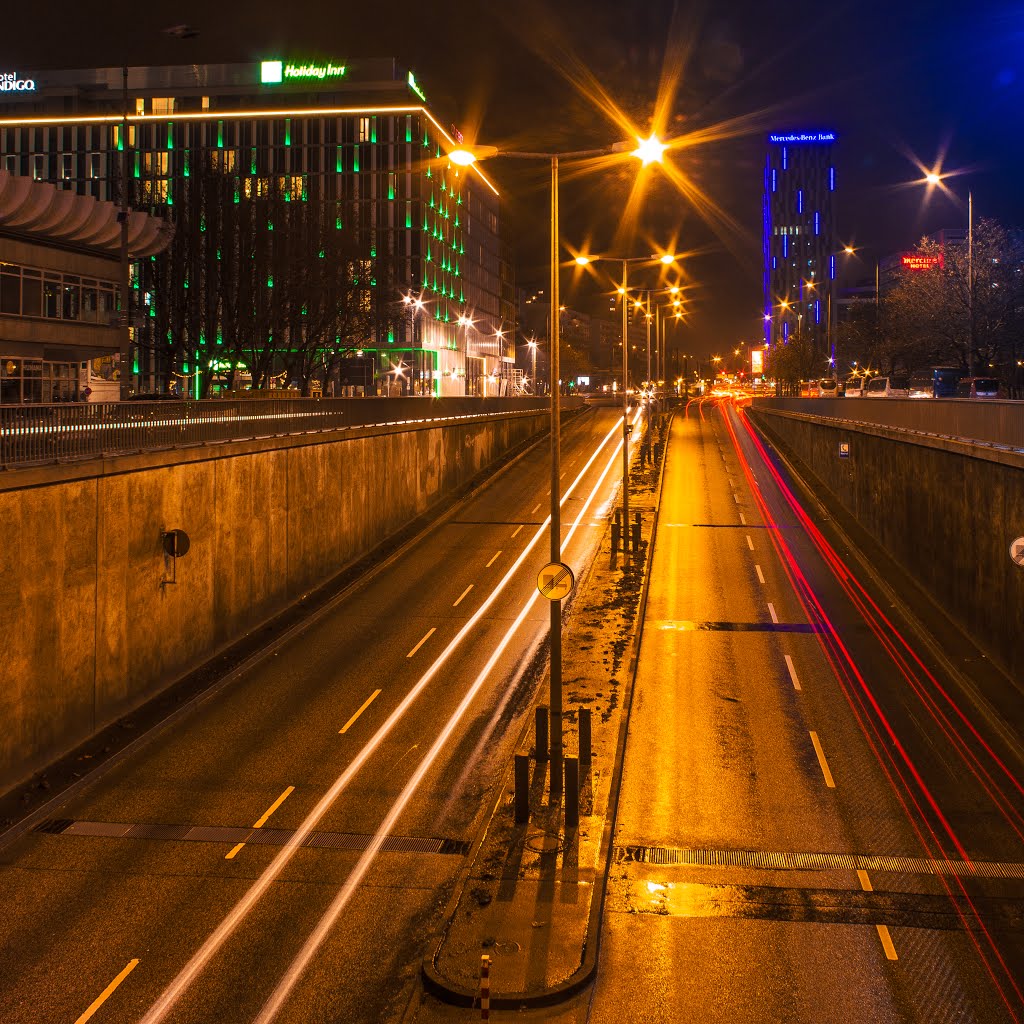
(254, 837)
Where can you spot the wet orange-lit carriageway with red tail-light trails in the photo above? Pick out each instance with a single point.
(781, 739)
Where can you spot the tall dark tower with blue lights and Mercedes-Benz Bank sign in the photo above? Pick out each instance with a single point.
(799, 246)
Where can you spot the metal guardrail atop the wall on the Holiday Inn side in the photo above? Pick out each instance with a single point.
(33, 435)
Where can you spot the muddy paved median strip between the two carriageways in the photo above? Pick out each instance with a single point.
(533, 894)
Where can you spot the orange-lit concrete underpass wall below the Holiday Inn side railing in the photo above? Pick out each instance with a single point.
(92, 626)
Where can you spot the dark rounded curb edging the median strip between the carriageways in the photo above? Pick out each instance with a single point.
(456, 995)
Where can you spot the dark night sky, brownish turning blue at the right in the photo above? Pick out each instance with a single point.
(893, 80)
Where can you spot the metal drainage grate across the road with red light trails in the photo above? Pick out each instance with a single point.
(774, 861)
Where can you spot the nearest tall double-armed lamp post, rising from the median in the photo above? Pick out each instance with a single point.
(648, 151)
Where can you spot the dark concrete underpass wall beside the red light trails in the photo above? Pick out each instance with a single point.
(946, 510)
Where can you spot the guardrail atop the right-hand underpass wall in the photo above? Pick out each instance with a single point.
(989, 421)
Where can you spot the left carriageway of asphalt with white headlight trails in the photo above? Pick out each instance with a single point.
(178, 887)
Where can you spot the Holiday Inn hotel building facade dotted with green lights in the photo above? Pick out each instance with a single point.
(355, 144)
